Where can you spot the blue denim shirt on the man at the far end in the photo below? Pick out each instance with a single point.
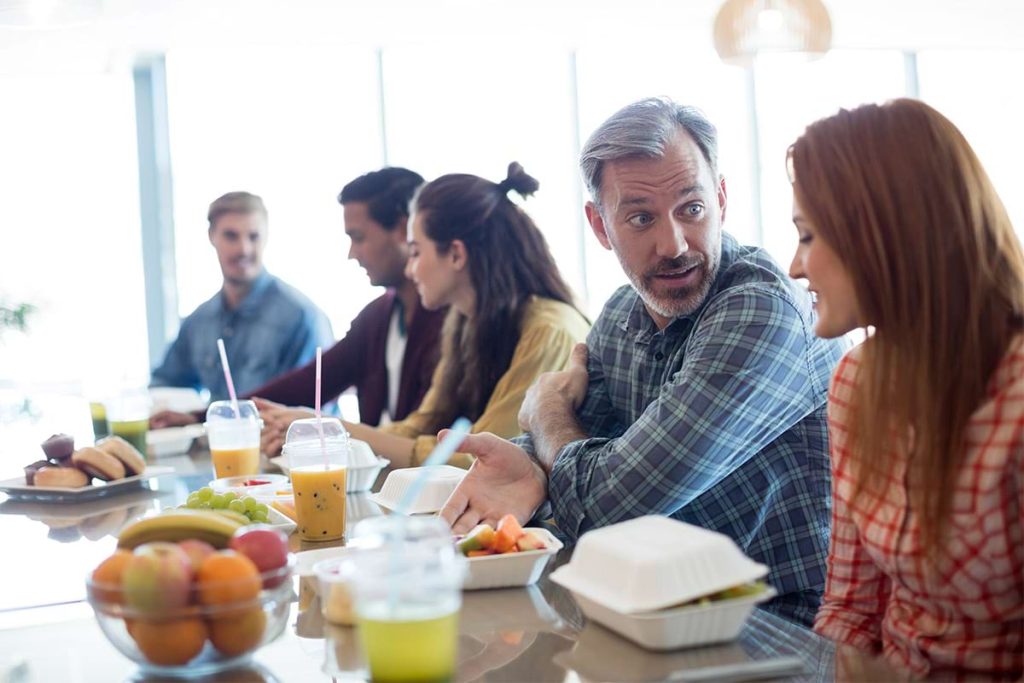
(275, 329)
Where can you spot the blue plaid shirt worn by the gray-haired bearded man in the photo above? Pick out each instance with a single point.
(718, 420)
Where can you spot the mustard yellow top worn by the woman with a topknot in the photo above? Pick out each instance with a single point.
(550, 330)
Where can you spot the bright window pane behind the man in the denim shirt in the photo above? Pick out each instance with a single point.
(292, 125)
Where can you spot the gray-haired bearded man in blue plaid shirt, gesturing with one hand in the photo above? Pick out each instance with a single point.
(701, 393)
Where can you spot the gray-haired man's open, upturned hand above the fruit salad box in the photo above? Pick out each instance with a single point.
(503, 481)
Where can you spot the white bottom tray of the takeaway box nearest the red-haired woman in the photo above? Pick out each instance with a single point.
(682, 627)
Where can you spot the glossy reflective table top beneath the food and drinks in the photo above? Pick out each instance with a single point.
(49, 632)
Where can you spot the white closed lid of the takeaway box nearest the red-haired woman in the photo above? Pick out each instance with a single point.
(655, 563)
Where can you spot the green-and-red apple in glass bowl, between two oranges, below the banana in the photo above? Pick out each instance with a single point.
(158, 578)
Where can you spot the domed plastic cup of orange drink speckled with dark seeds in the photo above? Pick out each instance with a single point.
(319, 471)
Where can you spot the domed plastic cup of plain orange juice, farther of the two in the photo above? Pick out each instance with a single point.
(234, 441)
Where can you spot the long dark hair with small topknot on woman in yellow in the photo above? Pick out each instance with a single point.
(509, 263)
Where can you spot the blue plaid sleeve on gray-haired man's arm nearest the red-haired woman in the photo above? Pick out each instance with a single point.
(745, 381)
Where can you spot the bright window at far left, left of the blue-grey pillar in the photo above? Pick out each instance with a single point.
(70, 231)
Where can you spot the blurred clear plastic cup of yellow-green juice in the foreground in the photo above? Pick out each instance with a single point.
(408, 592)
